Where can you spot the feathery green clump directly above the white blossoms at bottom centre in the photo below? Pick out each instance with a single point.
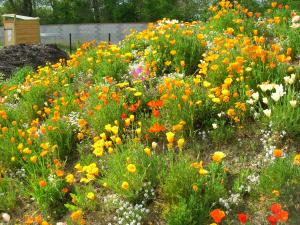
(147, 170)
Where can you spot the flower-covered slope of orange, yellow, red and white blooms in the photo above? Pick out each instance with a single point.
(183, 123)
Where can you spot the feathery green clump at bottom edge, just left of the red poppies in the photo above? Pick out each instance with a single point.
(191, 194)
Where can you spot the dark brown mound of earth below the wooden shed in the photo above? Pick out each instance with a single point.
(18, 56)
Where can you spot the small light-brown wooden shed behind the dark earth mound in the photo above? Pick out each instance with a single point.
(21, 29)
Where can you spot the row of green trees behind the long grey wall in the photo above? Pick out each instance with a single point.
(83, 11)
